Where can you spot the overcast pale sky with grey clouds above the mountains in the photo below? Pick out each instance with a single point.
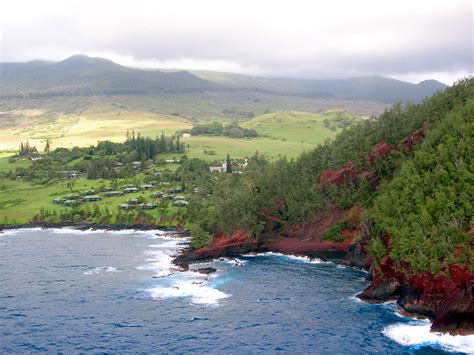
(409, 40)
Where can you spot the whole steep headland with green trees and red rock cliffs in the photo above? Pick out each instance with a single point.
(393, 193)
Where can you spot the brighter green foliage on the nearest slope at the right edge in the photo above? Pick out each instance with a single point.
(429, 206)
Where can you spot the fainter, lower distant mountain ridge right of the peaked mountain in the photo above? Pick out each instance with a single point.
(376, 88)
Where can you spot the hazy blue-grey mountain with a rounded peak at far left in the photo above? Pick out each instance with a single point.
(82, 75)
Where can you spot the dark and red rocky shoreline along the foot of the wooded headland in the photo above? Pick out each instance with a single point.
(446, 300)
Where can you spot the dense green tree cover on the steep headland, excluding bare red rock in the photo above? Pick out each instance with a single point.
(424, 201)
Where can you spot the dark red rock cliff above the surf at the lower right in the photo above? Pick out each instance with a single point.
(446, 298)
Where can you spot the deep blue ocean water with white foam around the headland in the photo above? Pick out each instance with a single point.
(64, 290)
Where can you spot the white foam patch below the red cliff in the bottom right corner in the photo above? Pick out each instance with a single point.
(416, 334)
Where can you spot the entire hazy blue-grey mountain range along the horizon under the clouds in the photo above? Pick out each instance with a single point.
(82, 75)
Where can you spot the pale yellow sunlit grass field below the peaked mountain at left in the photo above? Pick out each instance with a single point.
(97, 122)
